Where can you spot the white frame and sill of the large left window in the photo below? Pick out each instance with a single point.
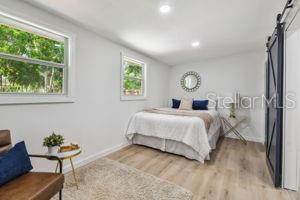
(67, 95)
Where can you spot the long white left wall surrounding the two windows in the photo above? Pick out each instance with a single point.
(98, 119)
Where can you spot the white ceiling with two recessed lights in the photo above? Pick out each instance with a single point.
(223, 27)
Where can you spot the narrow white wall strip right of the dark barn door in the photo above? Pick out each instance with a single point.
(291, 148)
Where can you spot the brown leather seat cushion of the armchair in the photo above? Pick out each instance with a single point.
(33, 186)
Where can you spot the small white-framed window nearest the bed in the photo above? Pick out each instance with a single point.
(133, 79)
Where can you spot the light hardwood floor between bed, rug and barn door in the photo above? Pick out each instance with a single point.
(235, 171)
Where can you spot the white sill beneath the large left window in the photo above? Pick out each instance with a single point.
(23, 99)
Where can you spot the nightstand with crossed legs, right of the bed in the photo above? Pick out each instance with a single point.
(230, 125)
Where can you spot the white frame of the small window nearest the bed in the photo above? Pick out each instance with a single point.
(143, 79)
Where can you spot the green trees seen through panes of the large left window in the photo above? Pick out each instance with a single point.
(25, 77)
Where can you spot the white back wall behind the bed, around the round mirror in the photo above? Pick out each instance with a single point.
(244, 73)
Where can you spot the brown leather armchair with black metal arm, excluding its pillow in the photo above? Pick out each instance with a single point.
(33, 185)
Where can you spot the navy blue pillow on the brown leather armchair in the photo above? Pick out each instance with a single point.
(14, 163)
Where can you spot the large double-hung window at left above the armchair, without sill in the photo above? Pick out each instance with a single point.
(33, 60)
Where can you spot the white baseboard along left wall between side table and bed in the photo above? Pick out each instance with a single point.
(91, 158)
